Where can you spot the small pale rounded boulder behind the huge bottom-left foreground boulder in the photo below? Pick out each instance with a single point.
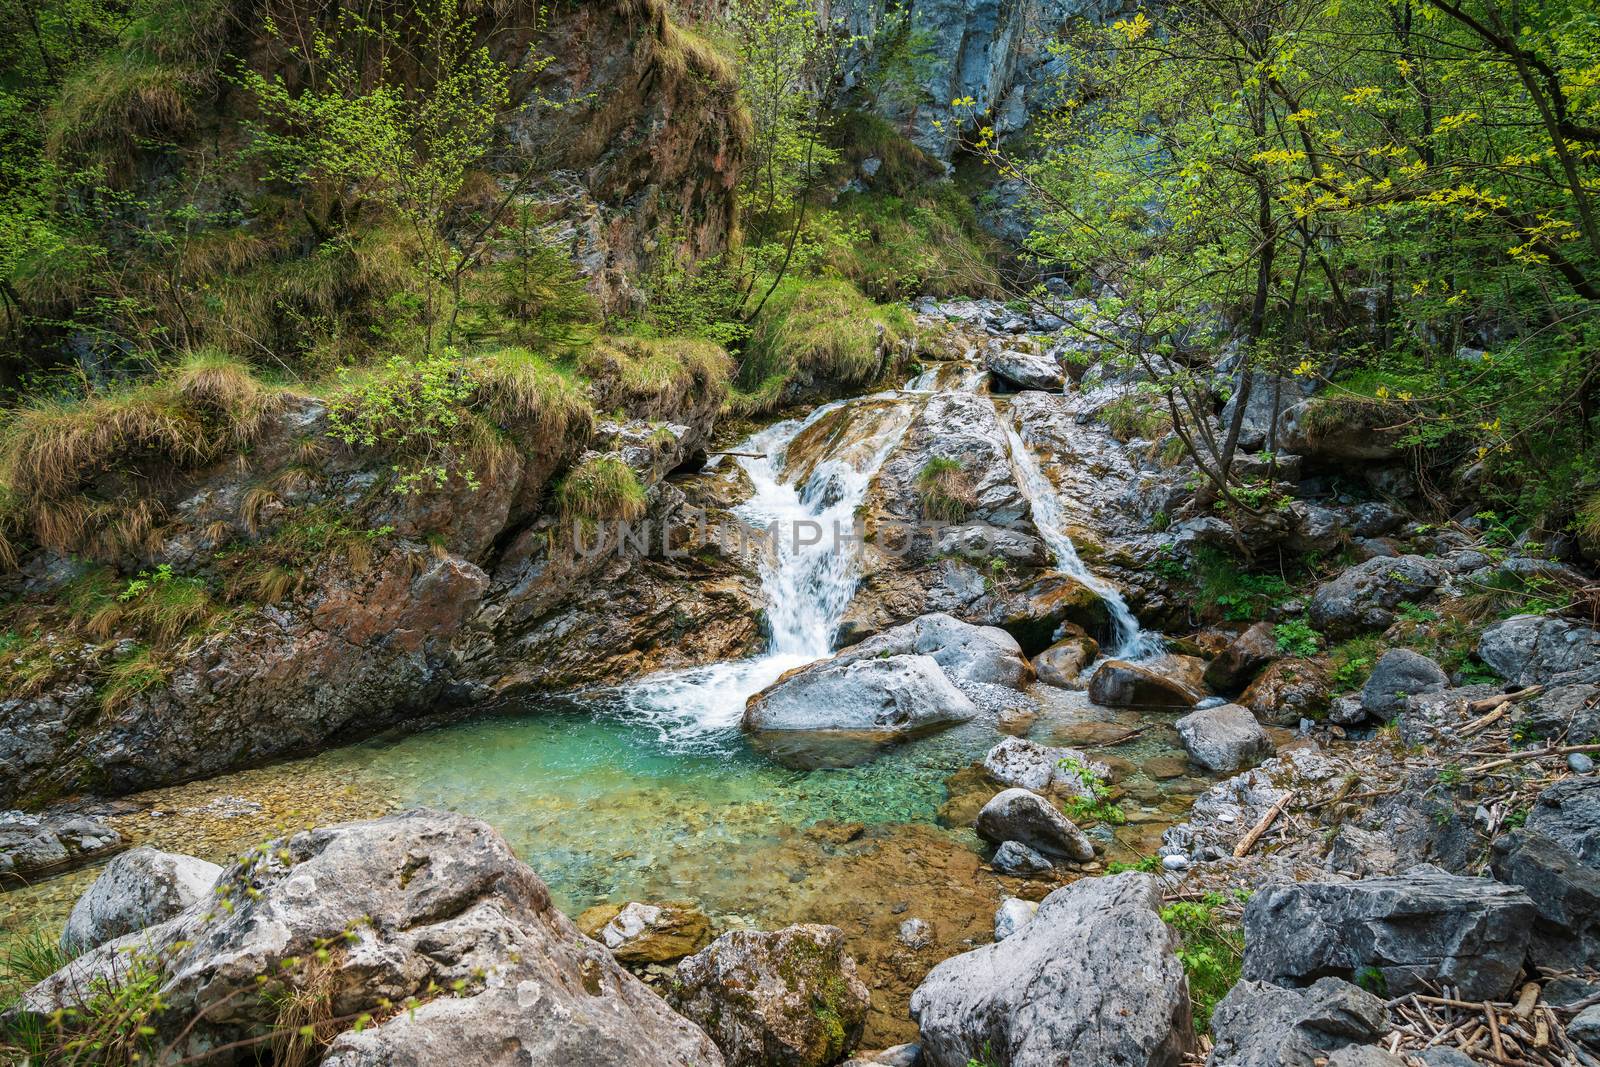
(138, 889)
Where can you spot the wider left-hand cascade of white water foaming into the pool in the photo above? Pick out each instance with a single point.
(807, 580)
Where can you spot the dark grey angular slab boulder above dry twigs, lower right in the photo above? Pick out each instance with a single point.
(1415, 930)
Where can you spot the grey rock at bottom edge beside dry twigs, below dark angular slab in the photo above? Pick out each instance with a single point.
(1260, 1025)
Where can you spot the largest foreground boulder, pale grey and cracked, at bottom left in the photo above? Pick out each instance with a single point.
(426, 906)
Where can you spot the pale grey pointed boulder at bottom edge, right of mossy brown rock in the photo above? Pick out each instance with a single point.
(1090, 980)
